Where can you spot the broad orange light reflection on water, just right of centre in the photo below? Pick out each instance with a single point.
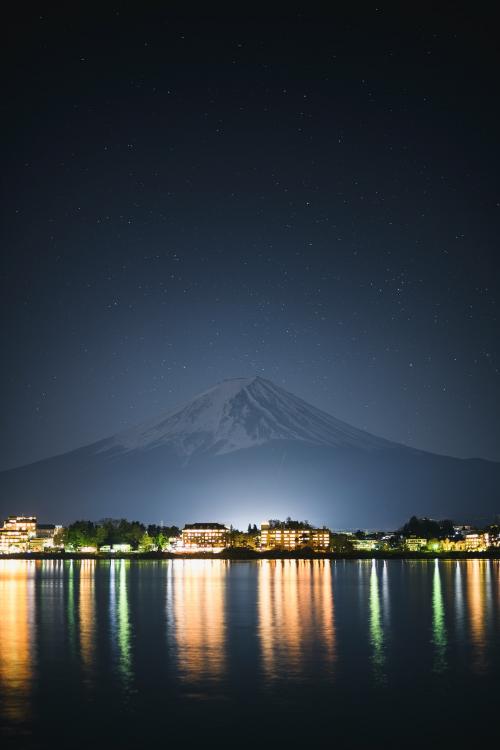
(296, 616)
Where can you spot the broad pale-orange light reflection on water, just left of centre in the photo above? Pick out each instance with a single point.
(198, 618)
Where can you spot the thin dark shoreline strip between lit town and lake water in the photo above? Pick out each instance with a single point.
(251, 556)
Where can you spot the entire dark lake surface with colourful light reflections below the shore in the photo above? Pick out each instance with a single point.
(218, 653)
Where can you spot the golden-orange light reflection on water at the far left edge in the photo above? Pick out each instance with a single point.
(17, 589)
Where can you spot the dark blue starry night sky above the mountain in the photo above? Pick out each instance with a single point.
(310, 199)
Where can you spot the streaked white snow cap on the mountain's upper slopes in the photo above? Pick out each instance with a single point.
(242, 413)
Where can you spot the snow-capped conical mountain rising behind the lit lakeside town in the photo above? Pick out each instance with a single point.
(246, 450)
